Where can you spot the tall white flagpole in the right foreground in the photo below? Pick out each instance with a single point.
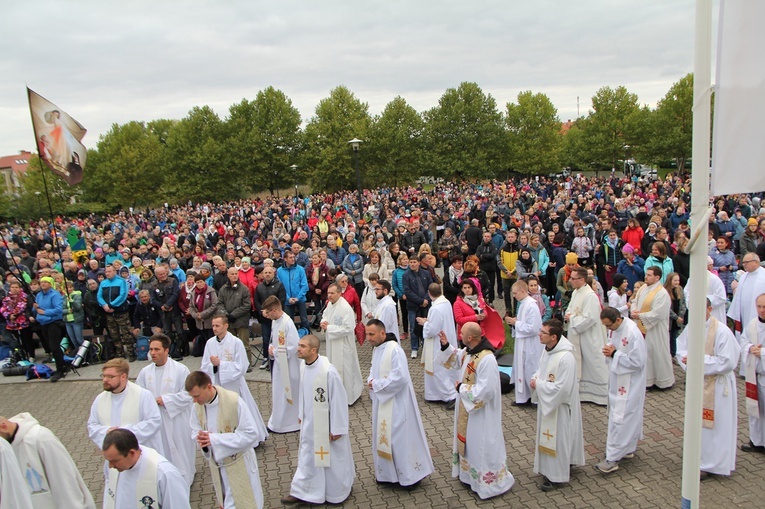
(702, 79)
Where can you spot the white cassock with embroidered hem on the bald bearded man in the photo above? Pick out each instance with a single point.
(479, 456)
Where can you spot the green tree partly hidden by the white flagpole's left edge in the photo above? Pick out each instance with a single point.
(672, 124)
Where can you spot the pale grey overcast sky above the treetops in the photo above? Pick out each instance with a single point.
(111, 62)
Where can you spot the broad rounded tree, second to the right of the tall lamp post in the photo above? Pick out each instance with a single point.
(464, 135)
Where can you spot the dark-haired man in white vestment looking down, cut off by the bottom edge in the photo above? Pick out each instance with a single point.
(138, 476)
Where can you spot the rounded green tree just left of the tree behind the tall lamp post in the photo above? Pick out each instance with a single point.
(264, 139)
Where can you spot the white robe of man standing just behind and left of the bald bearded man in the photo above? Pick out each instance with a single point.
(439, 377)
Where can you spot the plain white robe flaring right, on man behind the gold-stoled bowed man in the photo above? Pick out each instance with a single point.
(230, 374)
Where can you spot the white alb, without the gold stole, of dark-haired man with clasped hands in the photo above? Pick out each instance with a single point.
(226, 444)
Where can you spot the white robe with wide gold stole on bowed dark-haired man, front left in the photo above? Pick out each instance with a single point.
(238, 442)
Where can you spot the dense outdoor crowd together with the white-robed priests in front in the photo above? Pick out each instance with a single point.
(590, 274)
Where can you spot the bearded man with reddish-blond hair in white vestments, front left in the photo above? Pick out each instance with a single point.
(124, 404)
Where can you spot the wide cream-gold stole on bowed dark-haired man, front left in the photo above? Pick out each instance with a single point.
(228, 421)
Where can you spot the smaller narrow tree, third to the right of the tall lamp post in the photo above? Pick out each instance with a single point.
(534, 134)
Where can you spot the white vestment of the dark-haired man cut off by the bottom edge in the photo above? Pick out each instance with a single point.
(172, 490)
